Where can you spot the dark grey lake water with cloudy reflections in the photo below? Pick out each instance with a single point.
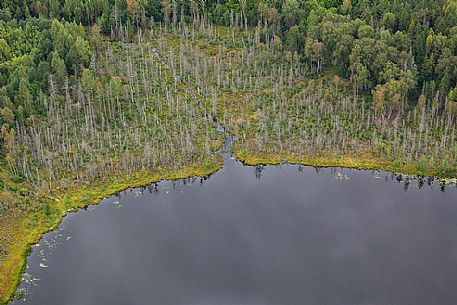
(284, 235)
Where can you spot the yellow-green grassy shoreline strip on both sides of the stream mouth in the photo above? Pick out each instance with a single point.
(15, 263)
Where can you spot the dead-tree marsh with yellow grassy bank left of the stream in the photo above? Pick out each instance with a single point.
(125, 121)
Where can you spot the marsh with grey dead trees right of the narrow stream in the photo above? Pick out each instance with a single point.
(262, 94)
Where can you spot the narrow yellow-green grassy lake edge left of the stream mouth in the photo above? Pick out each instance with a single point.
(71, 201)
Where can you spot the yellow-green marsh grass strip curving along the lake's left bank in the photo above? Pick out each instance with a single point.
(29, 225)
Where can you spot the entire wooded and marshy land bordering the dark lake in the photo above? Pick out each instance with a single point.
(98, 92)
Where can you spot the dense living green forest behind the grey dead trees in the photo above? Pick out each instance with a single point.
(420, 36)
